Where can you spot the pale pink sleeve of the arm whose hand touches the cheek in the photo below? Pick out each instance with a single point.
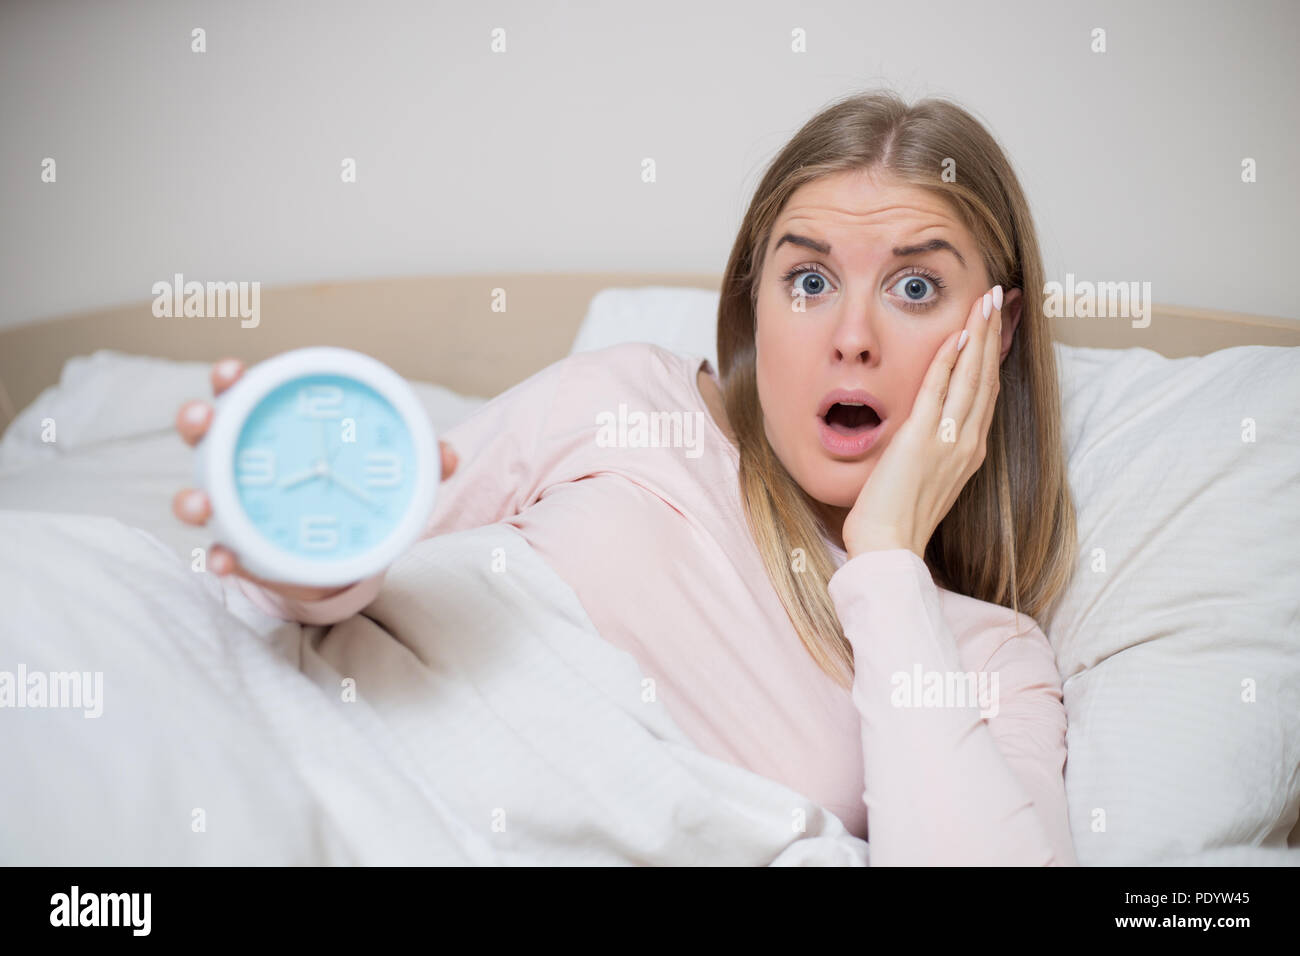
(943, 786)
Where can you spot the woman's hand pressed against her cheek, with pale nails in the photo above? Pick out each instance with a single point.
(942, 444)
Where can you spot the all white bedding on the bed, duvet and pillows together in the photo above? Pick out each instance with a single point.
(512, 733)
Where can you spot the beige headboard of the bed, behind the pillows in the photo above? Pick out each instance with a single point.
(444, 330)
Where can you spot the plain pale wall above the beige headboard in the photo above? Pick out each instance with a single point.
(226, 166)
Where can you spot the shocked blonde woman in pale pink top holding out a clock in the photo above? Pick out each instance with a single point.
(814, 590)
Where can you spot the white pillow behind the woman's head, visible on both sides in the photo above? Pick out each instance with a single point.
(1201, 591)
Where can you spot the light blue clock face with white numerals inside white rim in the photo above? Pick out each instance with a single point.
(324, 468)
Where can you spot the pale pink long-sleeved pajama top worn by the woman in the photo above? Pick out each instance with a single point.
(647, 527)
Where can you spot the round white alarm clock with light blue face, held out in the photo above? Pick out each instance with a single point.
(320, 465)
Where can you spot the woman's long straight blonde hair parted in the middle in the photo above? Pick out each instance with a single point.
(1011, 538)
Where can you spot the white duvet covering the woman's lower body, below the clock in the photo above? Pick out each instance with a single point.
(489, 725)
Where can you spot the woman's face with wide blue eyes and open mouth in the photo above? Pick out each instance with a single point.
(877, 312)
